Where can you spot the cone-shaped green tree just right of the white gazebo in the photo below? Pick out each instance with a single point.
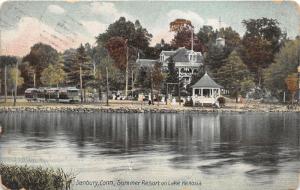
(235, 76)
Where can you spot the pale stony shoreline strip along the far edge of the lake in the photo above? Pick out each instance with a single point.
(123, 108)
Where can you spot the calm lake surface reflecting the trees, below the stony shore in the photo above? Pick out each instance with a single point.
(250, 151)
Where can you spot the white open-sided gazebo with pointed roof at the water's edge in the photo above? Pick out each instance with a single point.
(206, 91)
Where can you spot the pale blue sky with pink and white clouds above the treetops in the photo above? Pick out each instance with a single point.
(66, 24)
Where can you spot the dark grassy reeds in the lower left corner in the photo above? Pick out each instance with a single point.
(35, 178)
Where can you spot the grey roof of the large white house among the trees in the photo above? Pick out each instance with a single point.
(182, 55)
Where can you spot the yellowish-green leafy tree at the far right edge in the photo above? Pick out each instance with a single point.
(286, 62)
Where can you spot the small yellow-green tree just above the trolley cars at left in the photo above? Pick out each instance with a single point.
(53, 74)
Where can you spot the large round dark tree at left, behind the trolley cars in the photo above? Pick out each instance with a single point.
(40, 56)
